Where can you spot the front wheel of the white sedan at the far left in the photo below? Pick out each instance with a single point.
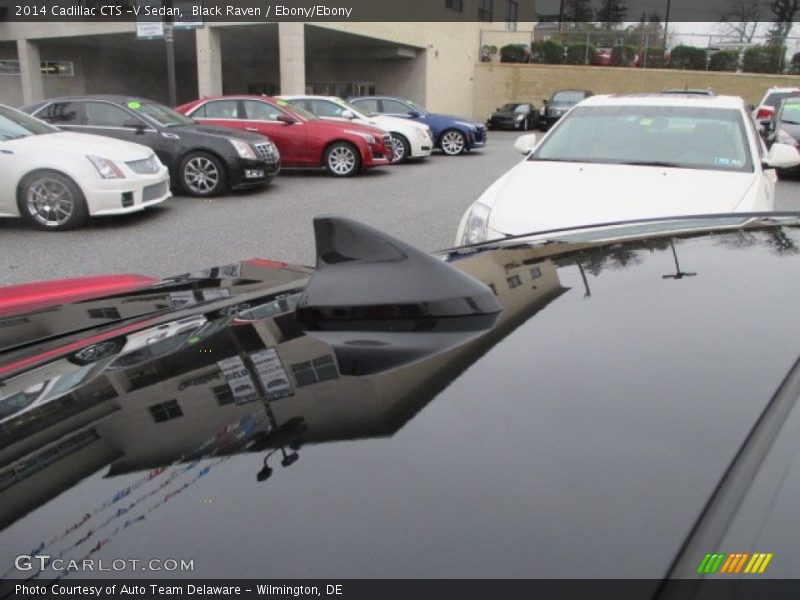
(51, 201)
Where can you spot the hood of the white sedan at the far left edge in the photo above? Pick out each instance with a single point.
(83, 144)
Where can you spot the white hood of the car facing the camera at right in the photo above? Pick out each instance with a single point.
(540, 195)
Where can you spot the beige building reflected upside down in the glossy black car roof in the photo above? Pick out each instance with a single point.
(180, 406)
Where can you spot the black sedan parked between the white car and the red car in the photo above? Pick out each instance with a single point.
(202, 160)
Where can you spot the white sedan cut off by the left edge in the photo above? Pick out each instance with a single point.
(57, 179)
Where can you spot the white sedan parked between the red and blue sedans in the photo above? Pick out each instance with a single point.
(409, 139)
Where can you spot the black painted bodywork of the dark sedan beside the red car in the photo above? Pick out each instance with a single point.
(171, 144)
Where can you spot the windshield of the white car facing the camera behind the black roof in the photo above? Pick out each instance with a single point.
(668, 136)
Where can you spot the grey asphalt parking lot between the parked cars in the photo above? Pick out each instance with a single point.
(418, 202)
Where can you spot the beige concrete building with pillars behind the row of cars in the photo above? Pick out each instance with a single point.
(432, 63)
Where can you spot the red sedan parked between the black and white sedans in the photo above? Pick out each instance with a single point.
(343, 149)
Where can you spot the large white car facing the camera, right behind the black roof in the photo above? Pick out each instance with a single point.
(618, 158)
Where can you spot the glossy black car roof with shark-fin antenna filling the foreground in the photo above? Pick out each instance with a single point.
(607, 402)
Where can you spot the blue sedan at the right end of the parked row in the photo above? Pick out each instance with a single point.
(453, 135)
